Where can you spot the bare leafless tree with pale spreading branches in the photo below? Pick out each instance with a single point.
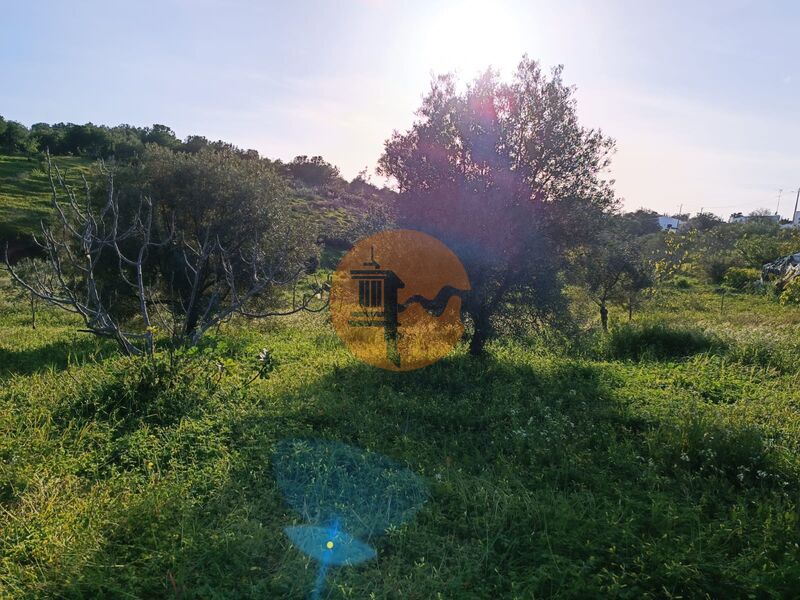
(87, 234)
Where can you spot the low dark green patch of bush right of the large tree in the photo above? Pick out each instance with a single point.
(658, 341)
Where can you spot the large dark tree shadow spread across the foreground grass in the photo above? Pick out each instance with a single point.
(535, 491)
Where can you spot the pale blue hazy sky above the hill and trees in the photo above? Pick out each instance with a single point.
(702, 98)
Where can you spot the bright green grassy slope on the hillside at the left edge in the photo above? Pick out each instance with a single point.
(25, 195)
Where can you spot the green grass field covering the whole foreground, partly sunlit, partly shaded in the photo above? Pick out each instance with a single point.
(553, 473)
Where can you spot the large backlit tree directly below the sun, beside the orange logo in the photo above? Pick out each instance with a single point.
(503, 174)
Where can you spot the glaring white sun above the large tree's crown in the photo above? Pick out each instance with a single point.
(470, 36)
